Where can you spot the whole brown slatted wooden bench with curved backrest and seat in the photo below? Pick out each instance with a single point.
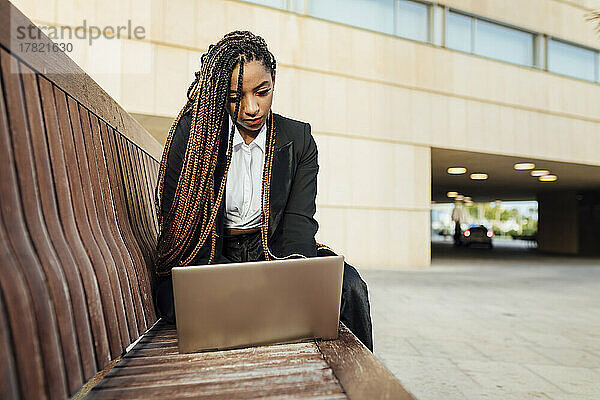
(77, 233)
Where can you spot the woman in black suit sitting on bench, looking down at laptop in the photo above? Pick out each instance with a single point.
(237, 182)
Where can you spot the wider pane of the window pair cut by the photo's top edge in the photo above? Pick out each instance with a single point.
(377, 15)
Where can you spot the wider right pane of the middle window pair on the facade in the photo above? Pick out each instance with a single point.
(503, 43)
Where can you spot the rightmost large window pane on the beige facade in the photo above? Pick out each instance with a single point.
(571, 60)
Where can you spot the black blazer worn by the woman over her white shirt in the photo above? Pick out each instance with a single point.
(292, 226)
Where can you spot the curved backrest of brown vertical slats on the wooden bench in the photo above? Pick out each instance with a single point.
(78, 230)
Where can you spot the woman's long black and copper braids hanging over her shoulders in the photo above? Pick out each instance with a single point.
(196, 203)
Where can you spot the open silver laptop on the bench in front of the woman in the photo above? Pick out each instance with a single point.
(226, 306)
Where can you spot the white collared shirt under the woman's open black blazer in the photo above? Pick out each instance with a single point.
(244, 180)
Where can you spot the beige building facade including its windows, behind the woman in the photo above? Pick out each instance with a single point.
(389, 87)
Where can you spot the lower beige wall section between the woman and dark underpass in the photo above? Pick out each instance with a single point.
(373, 201)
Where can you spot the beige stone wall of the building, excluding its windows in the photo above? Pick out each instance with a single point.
(376, 103)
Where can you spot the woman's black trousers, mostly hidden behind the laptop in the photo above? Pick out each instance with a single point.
(355, 310)
